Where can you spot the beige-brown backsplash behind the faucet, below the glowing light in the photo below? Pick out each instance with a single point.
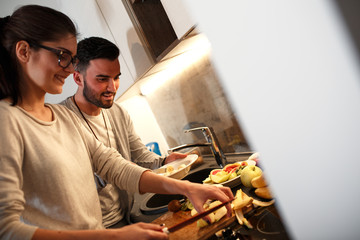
(195, 98)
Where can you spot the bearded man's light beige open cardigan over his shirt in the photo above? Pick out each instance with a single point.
(116, 203)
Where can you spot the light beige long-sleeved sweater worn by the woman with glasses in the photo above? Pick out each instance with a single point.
(46, 173)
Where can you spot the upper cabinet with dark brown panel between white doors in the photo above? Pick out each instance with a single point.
(145, 30)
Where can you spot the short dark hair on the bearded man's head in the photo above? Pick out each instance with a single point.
(94, 48)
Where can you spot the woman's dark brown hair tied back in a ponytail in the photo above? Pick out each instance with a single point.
(34, 24)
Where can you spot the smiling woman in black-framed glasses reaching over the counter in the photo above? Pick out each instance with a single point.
(47, 159)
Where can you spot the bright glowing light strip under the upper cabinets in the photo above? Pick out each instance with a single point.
(198, 49)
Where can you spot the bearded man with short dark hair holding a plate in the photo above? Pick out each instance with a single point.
(97, 76)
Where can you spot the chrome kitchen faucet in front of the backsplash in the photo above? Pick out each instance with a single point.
(212, 142)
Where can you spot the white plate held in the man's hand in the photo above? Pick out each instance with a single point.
(178, 173)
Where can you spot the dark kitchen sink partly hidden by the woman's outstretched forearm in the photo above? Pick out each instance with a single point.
(157, 203)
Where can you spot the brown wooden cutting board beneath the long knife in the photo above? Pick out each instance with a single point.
(191, 231)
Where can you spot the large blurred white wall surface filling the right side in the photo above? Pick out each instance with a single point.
(290, 72)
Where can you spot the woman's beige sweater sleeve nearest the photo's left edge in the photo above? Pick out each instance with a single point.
(12, 199)
